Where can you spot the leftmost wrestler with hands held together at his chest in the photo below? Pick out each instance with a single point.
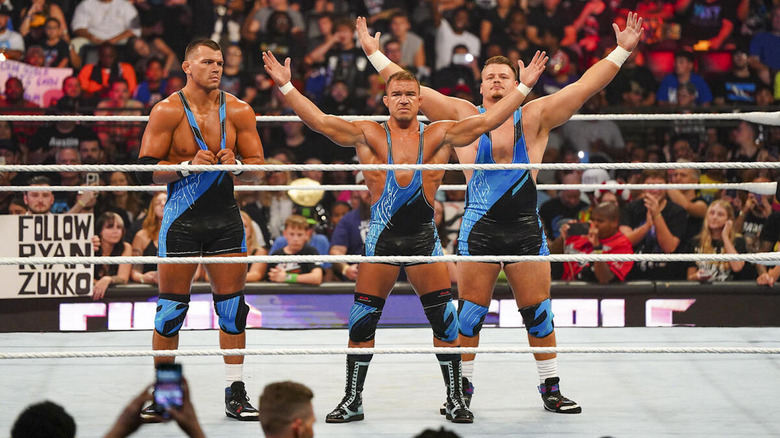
(202, 125)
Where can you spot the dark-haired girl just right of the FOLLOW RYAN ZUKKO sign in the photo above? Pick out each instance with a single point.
(108, 241)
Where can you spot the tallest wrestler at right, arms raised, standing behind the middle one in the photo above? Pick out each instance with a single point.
(501, 216)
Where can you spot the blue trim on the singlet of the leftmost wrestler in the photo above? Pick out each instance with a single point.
(183, 193)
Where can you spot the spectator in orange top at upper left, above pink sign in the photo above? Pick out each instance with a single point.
(96, 79)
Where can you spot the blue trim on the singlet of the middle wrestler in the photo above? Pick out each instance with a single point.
(394, 196)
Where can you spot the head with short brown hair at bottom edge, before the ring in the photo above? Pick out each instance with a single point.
(286, 405)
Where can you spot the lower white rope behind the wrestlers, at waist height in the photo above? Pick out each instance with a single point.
(760, 188)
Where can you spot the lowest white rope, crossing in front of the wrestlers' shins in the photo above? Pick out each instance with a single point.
(421, 350)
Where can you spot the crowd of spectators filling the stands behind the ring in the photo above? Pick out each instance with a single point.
(125, 56)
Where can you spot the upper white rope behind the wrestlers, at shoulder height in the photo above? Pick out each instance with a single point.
(763, 118)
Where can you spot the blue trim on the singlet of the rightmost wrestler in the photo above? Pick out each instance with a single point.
(486, 187)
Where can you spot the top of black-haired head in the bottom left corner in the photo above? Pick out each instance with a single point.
(44, 420)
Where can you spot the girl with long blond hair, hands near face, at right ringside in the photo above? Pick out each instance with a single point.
(717, 236)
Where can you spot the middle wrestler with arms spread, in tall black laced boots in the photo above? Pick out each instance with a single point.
(401, 215)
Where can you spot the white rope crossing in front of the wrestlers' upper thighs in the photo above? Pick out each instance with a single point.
(761, 257)
